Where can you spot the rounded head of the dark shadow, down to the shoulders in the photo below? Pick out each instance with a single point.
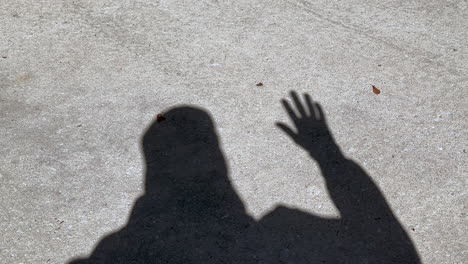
(184, 159)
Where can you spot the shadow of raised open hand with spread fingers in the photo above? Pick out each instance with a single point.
(312, 132)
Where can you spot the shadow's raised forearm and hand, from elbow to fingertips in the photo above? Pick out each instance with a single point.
(366, 216)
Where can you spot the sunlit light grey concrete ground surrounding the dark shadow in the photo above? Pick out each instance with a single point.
(81, 80)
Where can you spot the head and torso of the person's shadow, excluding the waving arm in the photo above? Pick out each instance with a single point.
(189, 212)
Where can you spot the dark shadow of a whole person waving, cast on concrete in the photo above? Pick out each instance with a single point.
(190, 212)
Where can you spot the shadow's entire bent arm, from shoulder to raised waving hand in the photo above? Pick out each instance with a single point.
(366, 232)
